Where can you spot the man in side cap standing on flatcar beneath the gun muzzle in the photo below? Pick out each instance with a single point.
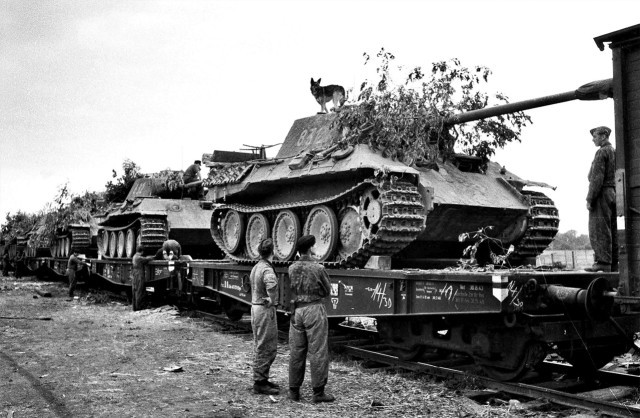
(601, 203)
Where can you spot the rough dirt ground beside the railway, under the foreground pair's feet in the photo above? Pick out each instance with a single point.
(94, 357)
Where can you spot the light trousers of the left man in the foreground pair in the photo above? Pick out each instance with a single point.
(265, 340)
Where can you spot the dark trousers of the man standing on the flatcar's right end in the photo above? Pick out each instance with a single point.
(603, 229)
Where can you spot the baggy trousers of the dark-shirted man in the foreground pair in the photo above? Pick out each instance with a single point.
(309, 337)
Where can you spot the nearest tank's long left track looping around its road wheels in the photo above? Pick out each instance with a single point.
(402, 220)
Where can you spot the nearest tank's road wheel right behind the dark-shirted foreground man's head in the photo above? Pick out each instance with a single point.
(323, 224)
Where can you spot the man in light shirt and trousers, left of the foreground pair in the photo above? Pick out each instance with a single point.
(264, 299)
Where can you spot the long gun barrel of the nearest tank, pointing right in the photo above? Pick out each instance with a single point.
(596, 90)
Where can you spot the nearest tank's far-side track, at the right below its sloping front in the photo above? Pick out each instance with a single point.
(542, 225)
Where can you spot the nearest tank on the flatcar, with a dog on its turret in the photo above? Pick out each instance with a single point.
(359, 204)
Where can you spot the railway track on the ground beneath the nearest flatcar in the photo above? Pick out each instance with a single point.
(608, 394)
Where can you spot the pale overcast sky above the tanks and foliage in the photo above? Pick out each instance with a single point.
(87, 84)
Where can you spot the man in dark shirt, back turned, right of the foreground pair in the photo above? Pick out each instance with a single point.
(309, 330)
